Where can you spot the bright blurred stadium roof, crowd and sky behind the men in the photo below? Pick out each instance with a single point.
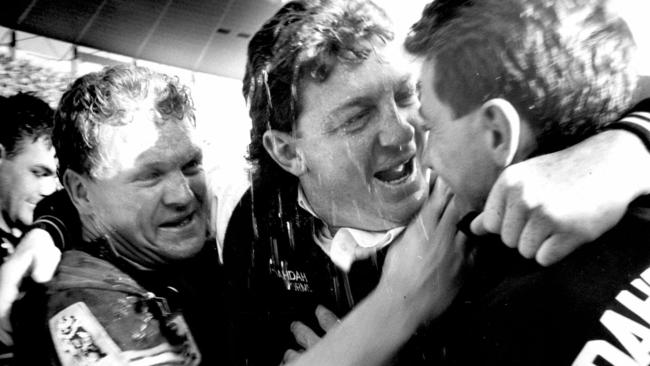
(44, 44)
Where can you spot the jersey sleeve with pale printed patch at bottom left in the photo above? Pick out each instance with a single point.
(91, 325)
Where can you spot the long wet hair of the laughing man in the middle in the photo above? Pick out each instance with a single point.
(304, 40)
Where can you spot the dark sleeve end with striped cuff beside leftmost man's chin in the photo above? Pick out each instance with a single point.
(57, 215)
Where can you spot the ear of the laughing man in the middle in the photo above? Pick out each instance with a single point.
(282, 148)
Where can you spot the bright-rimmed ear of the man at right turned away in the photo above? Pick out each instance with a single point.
(501, 124)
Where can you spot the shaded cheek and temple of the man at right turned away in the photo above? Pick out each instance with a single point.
(454, 148)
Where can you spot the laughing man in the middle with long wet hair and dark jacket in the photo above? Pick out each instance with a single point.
(336, 175)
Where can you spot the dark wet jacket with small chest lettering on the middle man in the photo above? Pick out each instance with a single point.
(277, 274)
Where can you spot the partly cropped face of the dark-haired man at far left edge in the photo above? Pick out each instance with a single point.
(24, 180)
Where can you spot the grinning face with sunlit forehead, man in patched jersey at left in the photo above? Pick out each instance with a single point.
(149, 192)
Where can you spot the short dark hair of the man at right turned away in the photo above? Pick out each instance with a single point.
(564, 65)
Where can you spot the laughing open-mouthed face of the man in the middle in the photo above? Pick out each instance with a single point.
(359, 145)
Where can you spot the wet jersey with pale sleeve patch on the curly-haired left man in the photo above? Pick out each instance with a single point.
(92, 311)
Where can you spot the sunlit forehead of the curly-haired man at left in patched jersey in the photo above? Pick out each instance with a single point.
(146, 141)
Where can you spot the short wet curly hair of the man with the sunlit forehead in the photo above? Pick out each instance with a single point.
(109, 98)
